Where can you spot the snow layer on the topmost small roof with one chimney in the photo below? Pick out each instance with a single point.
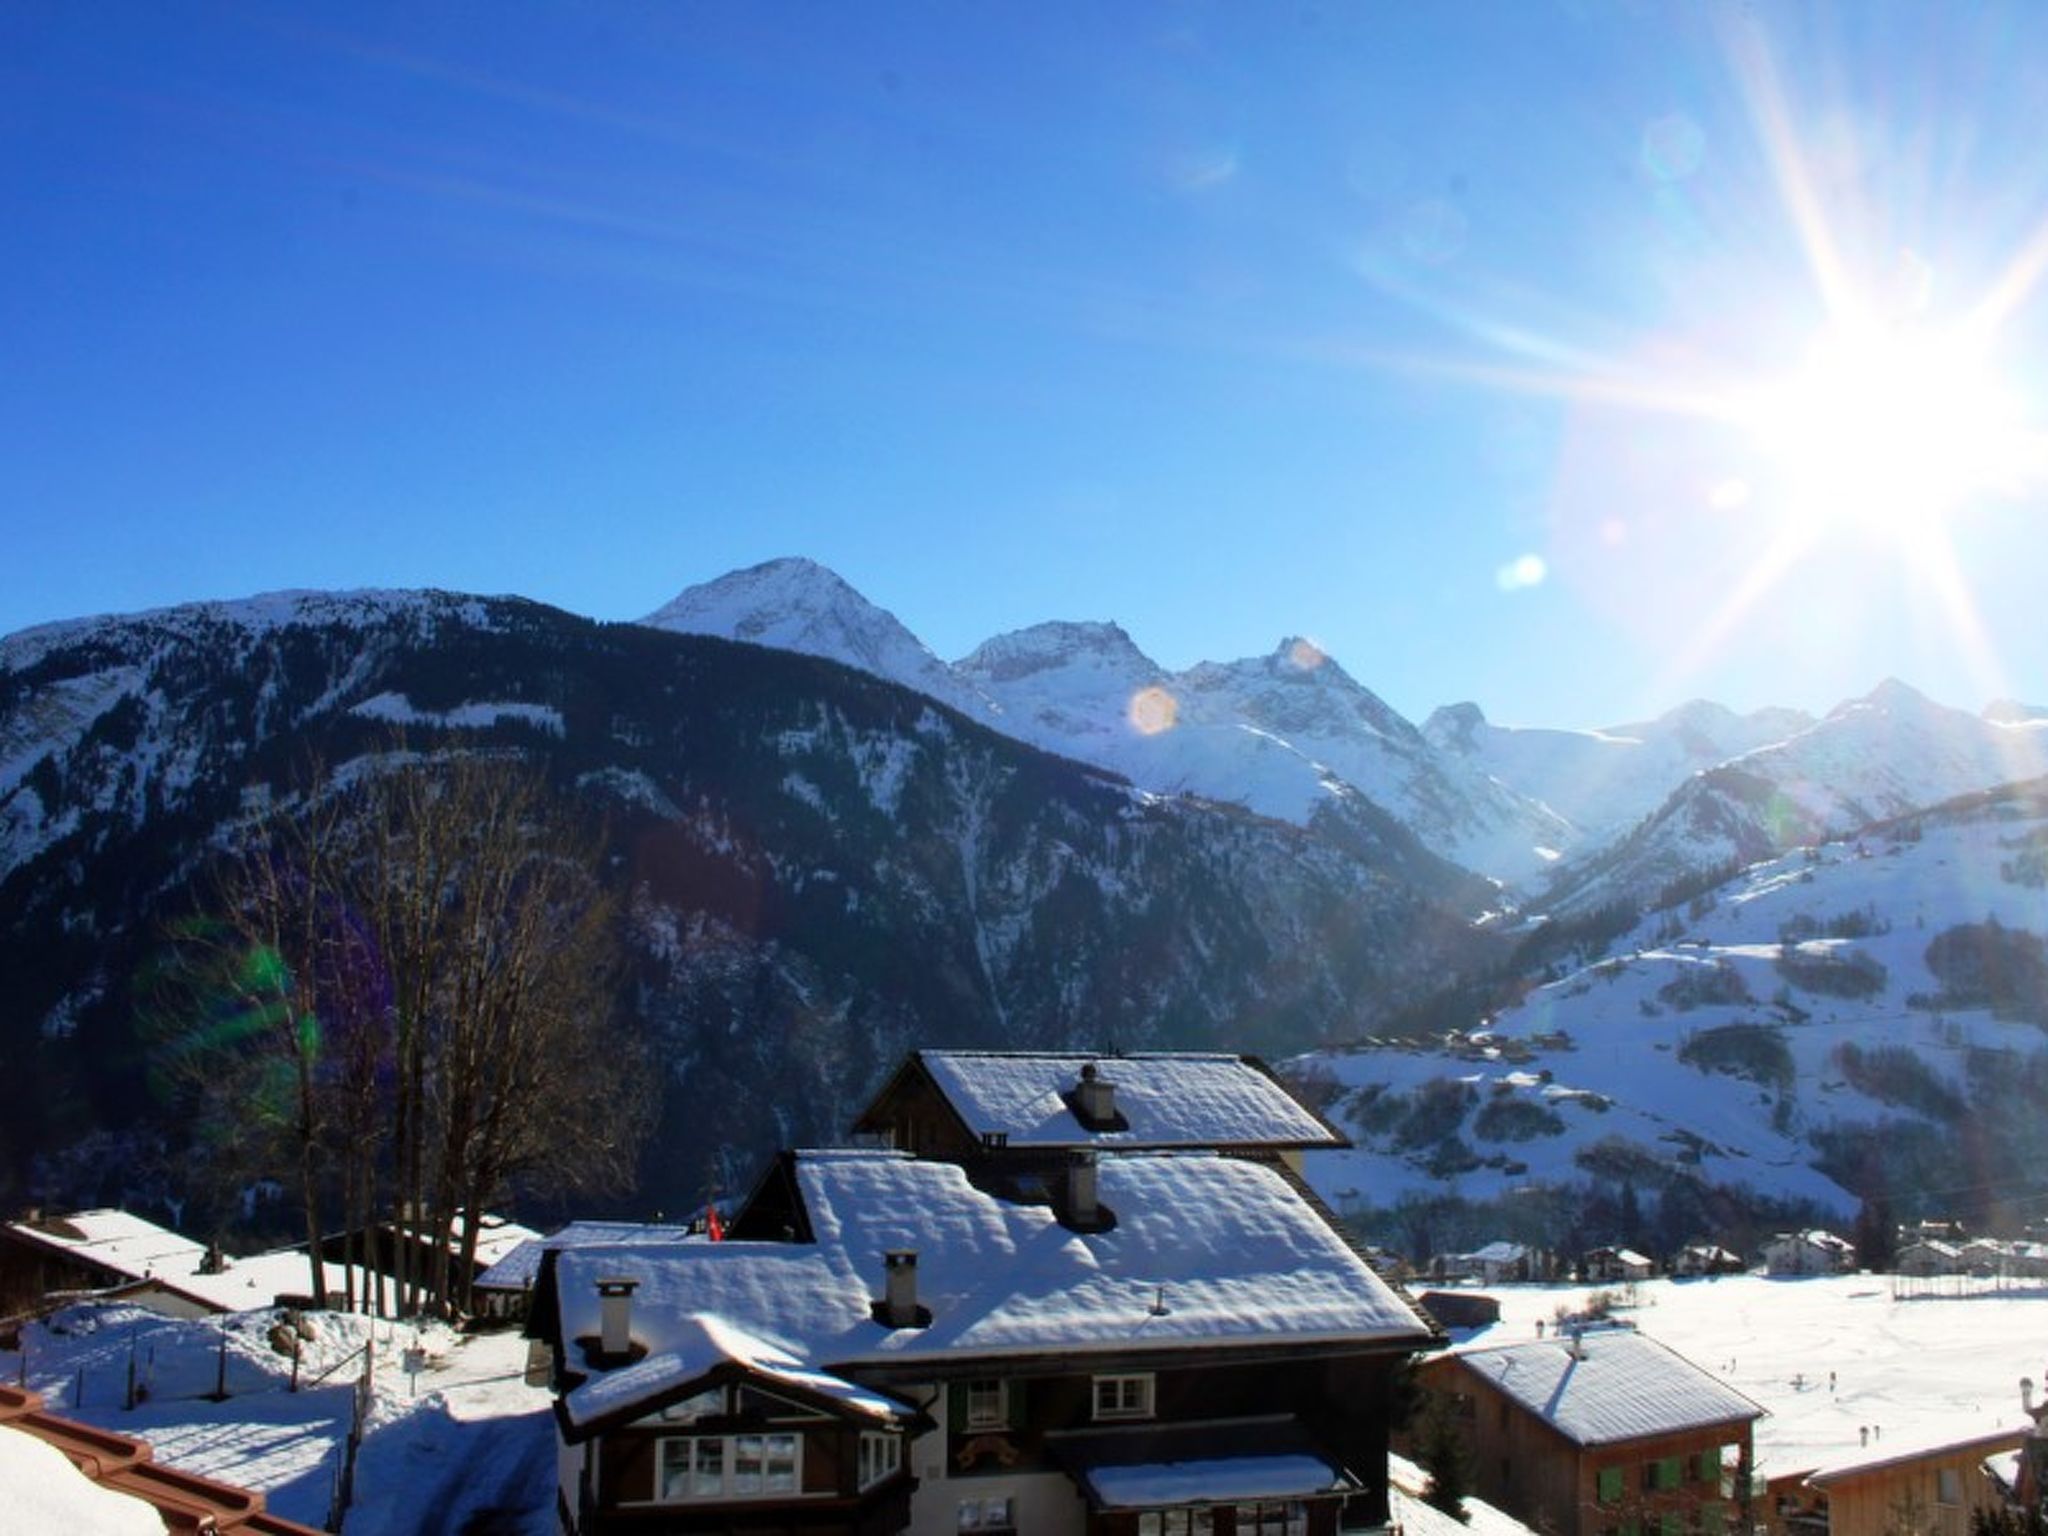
(1166, 1101)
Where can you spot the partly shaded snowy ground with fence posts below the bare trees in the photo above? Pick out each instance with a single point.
(462, 1439)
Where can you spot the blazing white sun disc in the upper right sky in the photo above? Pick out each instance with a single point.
(1887, 429)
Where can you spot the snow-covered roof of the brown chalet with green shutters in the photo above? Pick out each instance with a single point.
(1609, 1385)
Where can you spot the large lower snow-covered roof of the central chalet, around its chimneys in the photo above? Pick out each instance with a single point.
(1205, 1250)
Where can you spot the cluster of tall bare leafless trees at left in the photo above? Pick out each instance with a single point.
(398, 1000)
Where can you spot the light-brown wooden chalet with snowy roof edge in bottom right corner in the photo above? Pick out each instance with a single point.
(1932, 1488)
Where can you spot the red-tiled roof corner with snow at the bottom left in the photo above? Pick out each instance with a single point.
(69, 1476)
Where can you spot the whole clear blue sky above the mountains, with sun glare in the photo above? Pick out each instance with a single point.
(1431, 331)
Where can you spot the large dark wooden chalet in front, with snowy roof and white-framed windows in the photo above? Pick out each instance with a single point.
(1152, 1342)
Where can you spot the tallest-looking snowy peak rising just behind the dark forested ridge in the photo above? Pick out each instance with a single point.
(798, 605)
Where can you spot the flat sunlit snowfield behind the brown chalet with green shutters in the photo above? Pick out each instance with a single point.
(1912, 1361)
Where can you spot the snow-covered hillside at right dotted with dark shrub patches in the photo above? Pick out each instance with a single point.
(1795, 1033)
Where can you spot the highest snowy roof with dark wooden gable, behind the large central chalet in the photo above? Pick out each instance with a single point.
(972, 1105)
